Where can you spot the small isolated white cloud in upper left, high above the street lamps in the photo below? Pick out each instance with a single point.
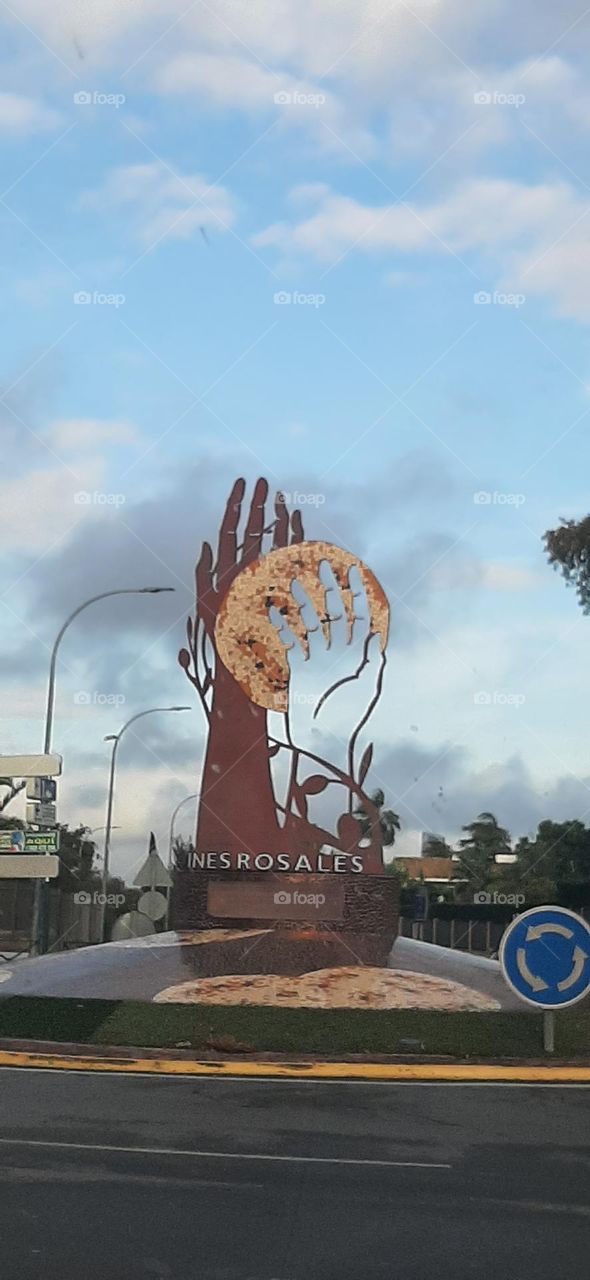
(164, 204)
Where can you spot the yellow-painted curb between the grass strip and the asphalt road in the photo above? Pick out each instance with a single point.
(458, 1072)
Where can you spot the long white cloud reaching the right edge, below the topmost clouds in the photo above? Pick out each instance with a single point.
(534, 240)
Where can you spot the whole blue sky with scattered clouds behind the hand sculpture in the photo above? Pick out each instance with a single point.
(385, 167)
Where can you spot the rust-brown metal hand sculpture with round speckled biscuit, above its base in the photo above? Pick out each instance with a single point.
(237, 661)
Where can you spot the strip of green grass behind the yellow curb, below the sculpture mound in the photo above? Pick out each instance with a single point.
(292, 1031)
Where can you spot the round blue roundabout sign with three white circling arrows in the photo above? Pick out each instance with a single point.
(546, 957)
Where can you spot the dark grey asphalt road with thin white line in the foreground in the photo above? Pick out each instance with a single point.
(143, 1178)
